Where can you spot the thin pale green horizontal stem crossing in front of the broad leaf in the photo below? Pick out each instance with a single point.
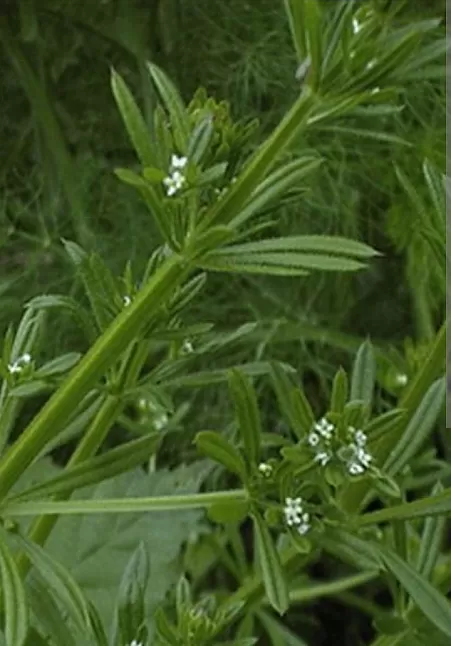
(123, 505)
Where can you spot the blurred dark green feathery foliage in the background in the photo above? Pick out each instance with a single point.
(62, 137)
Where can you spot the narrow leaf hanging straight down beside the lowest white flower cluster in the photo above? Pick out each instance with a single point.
(272, 573)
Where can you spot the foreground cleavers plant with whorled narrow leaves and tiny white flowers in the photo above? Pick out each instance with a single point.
(306, 492)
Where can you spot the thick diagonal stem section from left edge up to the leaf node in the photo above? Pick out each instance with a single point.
(101, 356)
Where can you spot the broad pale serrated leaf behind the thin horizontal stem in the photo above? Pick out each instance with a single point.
(98, 547)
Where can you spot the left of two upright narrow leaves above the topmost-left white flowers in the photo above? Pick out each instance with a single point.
(133, 120)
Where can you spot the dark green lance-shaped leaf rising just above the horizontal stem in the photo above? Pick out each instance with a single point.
(97, 469)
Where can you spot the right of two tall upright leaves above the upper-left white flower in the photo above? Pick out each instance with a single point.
(174, 106)
